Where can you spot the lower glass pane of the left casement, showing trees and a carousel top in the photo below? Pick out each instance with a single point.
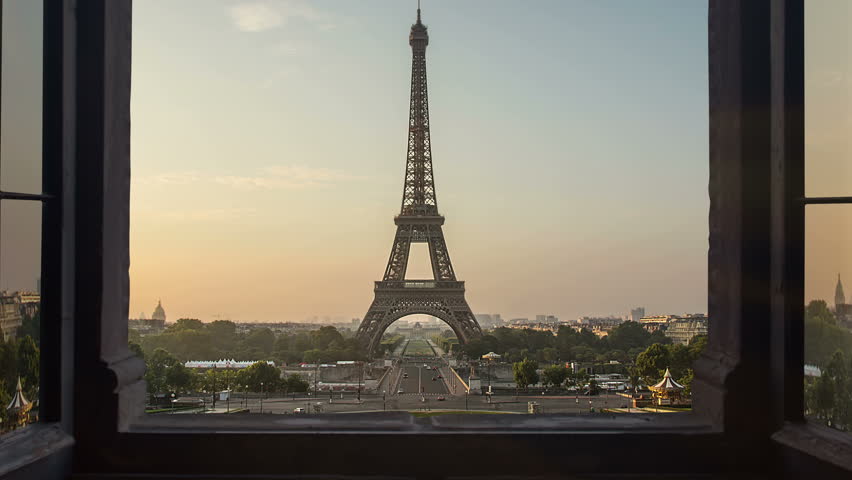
(20, 271)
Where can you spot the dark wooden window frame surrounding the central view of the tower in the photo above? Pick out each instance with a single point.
(747, 413)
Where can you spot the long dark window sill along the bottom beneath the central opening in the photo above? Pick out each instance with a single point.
(387, 443)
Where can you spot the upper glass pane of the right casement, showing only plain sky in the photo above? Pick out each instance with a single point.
(828, 98)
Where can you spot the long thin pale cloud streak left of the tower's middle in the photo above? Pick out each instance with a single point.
(277, 177)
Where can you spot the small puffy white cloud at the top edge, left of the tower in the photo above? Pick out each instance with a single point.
(265, 15)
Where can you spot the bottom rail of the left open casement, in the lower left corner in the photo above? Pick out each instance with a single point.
(24, 447)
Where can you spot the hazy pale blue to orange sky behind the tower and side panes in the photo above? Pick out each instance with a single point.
(569, 147)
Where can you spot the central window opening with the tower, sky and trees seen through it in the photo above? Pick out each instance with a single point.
(269, 159)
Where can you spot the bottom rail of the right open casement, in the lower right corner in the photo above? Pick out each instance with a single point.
(820, 442)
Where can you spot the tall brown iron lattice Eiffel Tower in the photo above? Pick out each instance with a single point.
(418, 222)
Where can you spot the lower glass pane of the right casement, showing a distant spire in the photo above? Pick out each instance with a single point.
(828, 315)
